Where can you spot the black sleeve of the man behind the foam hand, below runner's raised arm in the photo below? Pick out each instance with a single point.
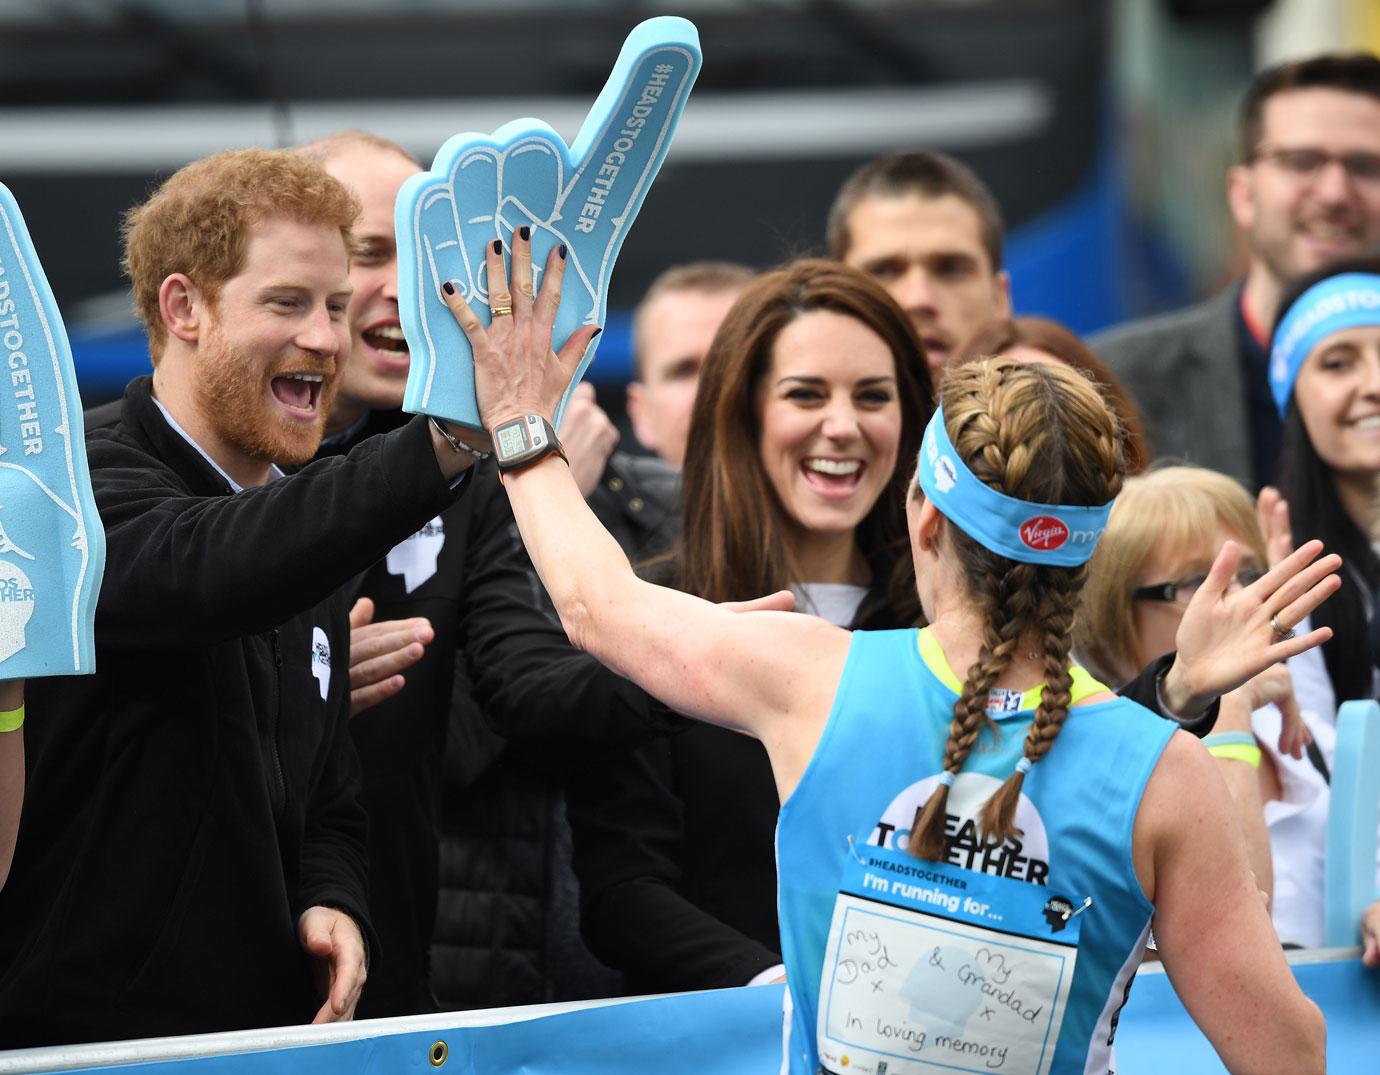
(528, 678)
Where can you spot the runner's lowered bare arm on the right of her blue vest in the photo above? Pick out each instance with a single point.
(1211, 925)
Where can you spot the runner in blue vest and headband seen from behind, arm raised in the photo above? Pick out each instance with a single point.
(969, 862)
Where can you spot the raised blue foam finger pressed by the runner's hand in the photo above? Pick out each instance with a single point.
(482, 188)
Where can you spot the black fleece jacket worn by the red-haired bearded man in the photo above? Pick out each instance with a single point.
(195, 796)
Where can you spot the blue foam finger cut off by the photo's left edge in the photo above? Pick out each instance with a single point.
(52, 542)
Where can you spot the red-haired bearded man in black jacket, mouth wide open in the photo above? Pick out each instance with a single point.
(193, 851)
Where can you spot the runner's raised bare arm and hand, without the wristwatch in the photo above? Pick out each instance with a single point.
(760, 673)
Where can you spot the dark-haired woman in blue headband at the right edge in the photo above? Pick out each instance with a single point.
(1325, 380)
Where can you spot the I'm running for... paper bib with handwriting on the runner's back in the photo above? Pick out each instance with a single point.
(934, 968)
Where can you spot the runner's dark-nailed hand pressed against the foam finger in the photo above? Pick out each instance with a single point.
(515, 369)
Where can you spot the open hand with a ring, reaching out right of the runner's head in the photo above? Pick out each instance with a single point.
(1229, 637)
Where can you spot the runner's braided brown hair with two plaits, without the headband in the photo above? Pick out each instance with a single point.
(1041, 434)
